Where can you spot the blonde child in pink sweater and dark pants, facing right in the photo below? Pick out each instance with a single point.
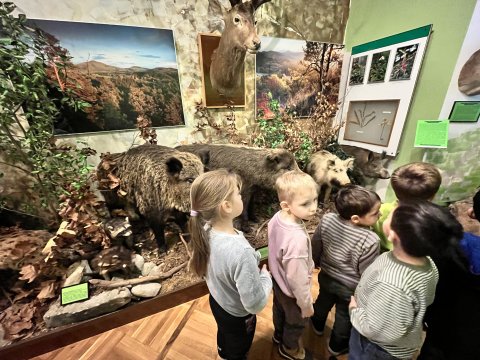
(290, 261)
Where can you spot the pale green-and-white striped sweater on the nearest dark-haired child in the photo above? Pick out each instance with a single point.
(392, 297)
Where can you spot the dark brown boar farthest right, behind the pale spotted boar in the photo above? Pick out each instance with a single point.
(367, 164)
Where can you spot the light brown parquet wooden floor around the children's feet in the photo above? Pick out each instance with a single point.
(187, 331)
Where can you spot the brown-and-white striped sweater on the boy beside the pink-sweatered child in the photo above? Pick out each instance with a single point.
(344, 250)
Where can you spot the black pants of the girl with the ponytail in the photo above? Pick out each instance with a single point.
(234, 334)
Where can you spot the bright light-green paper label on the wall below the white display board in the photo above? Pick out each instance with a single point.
(432, 134)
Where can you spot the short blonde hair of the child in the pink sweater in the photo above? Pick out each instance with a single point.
(289, 184)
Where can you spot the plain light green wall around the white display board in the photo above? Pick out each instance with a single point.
(373, 19)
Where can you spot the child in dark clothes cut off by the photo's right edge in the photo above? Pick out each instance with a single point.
(455, 336)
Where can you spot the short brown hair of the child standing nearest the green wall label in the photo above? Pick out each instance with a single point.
(416, 181)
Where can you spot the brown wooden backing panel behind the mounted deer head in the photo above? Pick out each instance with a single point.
(207, 43)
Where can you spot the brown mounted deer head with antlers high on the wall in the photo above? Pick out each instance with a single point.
(238, 37)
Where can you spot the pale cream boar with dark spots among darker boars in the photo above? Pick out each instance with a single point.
(329, 170)
